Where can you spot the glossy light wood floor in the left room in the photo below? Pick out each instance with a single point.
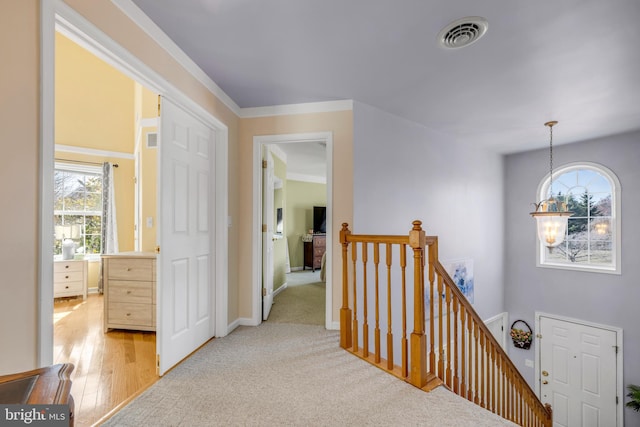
(109, 368)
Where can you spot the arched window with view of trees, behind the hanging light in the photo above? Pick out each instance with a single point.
(592, 242)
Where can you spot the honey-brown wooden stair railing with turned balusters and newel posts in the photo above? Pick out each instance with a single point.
(458, 350)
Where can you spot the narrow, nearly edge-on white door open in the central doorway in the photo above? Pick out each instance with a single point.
(267, 232)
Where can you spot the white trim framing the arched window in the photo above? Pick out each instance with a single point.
(616, 214)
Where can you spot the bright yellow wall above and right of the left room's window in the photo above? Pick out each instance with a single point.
(94, 105)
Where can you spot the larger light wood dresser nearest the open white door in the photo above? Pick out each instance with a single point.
(130, 291)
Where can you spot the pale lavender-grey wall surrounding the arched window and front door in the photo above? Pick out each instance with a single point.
(595, 297)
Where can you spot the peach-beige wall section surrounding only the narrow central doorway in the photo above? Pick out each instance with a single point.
(341, 125)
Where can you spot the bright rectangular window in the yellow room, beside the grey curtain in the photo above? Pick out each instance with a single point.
(78, 207)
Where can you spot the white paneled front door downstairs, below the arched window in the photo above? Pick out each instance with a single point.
(578, 373)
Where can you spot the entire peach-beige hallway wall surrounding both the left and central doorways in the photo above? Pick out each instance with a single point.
(20, 139)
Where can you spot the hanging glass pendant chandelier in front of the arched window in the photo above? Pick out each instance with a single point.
(551, 214)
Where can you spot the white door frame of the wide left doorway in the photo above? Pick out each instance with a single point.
(58, 16)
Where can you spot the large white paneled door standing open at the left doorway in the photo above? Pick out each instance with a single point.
(186, 288)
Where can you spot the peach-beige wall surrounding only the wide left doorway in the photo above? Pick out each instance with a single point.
(20, 138)
